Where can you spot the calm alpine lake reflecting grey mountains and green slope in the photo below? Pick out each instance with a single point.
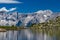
(31, 34)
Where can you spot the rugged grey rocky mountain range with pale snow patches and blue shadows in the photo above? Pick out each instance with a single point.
(19, 19)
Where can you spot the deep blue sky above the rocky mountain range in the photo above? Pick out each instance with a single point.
(29, 6)
